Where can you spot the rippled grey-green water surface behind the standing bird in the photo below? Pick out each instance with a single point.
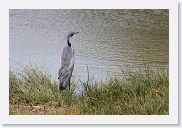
(108, 40)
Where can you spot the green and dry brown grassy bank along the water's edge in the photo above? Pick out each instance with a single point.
(33, 91)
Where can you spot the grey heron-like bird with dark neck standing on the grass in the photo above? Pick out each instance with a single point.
(67, 64)
